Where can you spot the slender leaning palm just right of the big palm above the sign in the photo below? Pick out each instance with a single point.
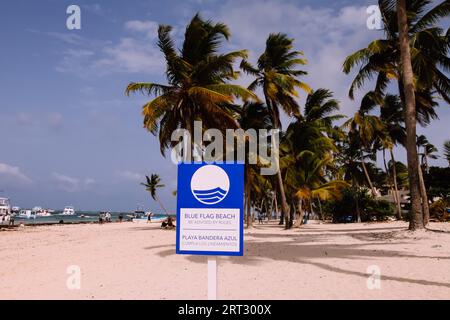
(277, 75)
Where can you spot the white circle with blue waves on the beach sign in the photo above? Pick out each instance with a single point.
(210, 184)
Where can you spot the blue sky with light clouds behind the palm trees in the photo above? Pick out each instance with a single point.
(68, 134)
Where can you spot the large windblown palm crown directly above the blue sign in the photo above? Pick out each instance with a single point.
(198, 87)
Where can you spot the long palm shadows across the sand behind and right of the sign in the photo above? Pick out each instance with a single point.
(302, 248)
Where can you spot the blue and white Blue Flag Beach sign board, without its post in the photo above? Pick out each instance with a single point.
(210, 202)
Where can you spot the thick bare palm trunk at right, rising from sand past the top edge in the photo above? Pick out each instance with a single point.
(416, 221)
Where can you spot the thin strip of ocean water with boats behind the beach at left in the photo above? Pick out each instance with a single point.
(89, 216)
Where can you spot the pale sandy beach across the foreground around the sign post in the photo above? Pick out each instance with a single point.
(138, 261)
